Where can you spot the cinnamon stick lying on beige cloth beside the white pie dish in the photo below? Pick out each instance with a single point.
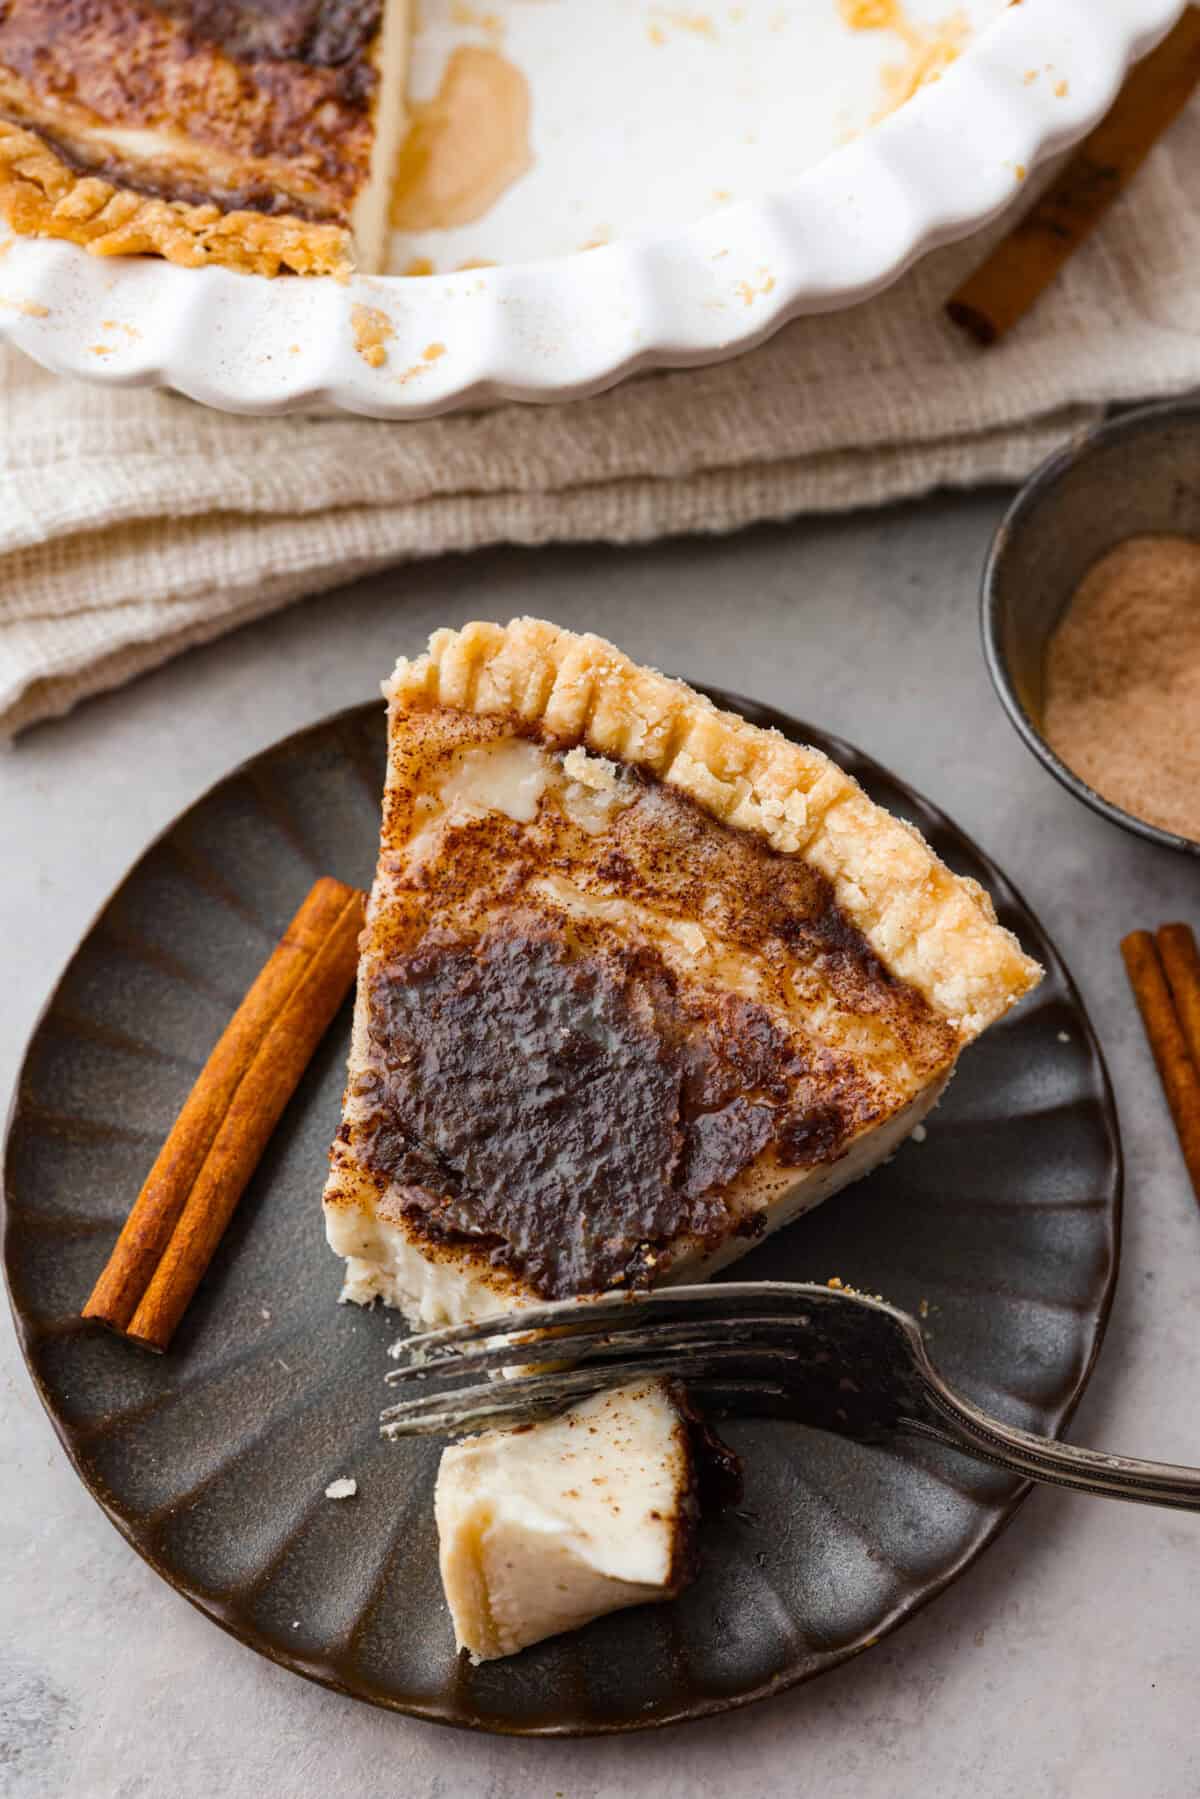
(1025, 264)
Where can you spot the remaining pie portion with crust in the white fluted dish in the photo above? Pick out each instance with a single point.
(260, 138)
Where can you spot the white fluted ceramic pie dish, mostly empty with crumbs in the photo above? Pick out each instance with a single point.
(697, 181)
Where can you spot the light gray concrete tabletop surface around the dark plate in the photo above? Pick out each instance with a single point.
(1066, 1661)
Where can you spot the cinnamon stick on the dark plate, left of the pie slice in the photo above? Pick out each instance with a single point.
(228, 1120)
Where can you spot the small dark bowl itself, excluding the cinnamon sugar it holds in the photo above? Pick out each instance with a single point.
(1134, 476)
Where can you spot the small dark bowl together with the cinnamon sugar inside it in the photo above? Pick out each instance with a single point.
(1091, 620)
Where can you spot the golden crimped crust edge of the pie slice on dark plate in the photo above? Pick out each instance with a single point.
(933, 929)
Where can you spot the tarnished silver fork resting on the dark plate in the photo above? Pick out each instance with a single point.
(823, 1356)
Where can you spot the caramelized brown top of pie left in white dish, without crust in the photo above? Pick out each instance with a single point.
(273, 98)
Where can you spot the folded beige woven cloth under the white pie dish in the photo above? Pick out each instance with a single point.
(134, 524)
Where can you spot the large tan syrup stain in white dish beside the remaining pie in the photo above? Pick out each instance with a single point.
(467, 147)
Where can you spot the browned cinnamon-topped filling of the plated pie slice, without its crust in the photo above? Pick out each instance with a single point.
(600, 1030)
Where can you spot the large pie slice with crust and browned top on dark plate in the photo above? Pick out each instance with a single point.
(640, 983)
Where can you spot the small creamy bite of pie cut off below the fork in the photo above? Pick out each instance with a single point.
(548, 1528)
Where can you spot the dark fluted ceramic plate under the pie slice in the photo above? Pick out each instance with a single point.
(213, 1462)
